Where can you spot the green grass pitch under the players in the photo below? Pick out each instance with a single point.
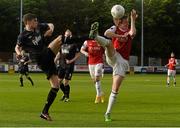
(143, 100)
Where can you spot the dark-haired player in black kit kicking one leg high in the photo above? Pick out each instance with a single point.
(32, 41)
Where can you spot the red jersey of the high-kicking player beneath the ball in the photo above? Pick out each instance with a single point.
(122, 45)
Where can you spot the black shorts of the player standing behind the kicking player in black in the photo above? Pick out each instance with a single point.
(66, 72)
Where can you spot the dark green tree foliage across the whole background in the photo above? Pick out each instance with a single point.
(161, 20)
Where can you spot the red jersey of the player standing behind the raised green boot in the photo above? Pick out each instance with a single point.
(95, 52)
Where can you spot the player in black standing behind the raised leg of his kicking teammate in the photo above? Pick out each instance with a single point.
(66, 57)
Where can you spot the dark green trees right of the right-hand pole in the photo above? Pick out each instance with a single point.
(160, 25)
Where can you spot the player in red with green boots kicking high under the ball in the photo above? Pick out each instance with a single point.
(117, 51)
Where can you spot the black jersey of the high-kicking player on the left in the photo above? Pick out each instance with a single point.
(33, 41)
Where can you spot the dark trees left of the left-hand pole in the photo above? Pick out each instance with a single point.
(9, 20)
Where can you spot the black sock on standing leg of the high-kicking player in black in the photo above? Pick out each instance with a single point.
(51, 96)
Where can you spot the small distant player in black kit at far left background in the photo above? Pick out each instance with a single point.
(23, 68)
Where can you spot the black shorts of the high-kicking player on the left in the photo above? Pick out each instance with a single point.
(46, 63)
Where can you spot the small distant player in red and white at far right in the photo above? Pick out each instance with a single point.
(171, 69)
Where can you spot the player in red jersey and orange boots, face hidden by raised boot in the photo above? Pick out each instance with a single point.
(95, 53)
